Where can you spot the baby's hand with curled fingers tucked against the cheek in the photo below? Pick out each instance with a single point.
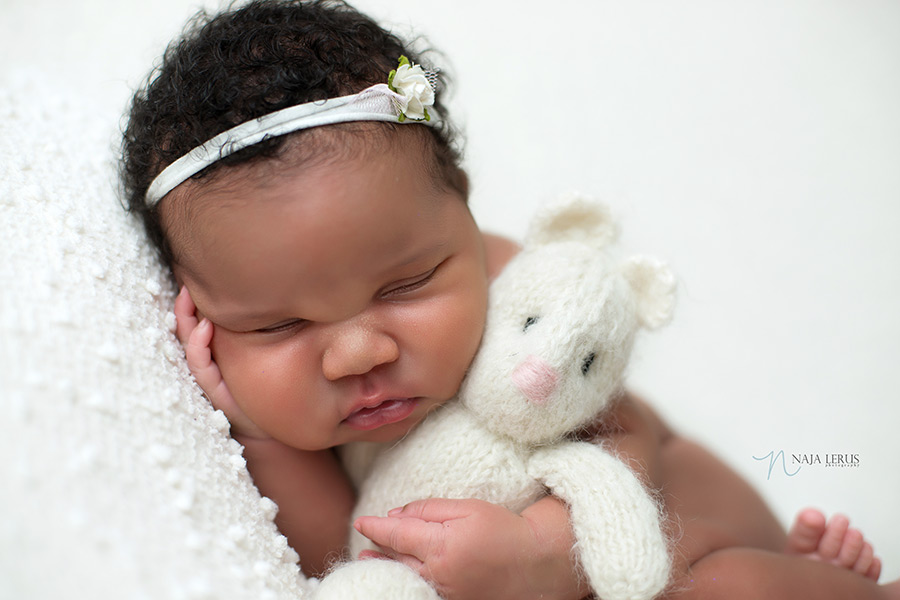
(195, 337)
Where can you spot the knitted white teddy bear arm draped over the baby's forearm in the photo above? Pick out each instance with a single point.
(619, 540)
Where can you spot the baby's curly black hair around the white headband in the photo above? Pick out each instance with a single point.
(248, 61)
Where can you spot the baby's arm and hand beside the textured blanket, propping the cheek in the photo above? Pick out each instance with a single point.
(314, 496)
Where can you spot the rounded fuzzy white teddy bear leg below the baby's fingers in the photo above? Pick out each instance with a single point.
(373, 579)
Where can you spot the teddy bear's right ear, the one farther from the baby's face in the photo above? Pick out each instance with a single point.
(653, 285)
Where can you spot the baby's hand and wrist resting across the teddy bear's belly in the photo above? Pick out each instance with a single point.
(472, 549)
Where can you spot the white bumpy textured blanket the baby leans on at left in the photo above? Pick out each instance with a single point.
(119, 480)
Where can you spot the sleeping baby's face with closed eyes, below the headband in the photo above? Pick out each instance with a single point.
(348, 298)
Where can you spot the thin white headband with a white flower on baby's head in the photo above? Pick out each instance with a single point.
(404, 99)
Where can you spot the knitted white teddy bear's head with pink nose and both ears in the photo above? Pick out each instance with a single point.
(561, 321)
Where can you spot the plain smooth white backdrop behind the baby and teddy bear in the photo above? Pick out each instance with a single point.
(754, 145)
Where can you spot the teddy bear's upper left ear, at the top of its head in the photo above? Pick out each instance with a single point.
(573, 218)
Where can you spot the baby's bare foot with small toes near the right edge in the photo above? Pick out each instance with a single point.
(832, 542)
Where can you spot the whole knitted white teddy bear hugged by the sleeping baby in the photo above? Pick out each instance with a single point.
(561, 321)
